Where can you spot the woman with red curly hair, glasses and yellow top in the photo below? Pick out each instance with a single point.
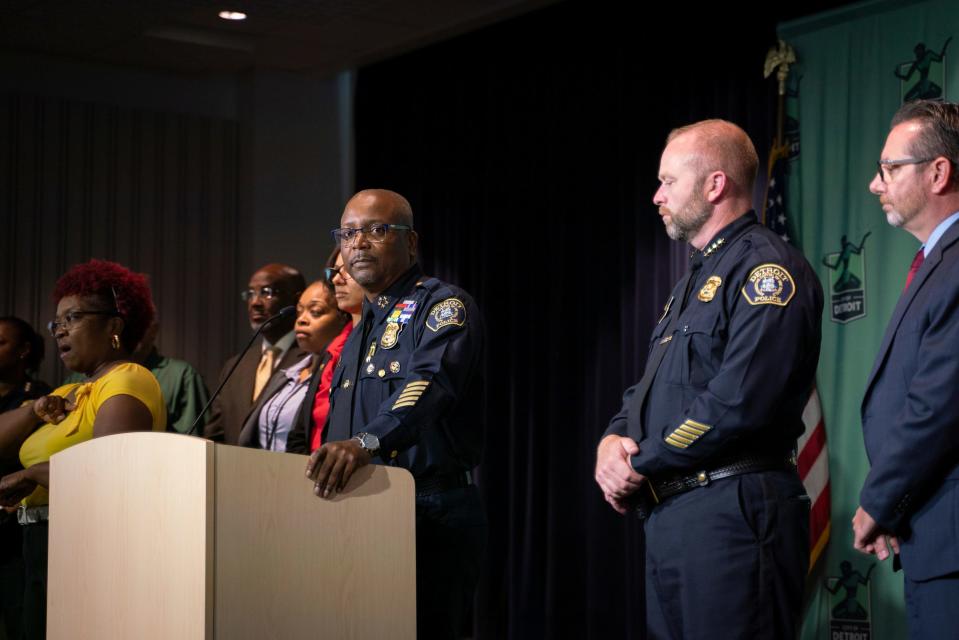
(103, 310)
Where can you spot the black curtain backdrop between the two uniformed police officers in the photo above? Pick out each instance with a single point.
(529, 151)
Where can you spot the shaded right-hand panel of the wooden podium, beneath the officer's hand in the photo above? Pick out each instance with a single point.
(290, 565)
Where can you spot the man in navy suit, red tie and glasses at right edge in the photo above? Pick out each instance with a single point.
(910, 411)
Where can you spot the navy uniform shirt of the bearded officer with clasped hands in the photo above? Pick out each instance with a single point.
(740, 361)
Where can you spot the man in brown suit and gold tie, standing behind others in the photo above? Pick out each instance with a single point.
(271, 288)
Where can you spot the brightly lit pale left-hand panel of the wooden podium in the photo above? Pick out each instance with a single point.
(130, 539)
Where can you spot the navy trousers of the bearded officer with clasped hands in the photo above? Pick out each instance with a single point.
(728, 560)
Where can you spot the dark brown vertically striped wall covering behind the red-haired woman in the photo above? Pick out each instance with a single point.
(156, 191)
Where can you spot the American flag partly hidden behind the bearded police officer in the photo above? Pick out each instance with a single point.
(813, 458)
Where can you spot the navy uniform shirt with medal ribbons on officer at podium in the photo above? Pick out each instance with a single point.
(411, 374)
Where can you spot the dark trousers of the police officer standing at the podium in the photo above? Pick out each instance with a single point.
(451, 532)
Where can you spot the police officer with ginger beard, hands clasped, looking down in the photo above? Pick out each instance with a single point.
(704, 442)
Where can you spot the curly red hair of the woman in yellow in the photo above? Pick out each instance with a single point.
(117, 288)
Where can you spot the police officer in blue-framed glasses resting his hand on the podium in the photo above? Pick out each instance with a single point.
(408, 392)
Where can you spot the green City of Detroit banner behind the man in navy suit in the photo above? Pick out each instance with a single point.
(855, 66)
